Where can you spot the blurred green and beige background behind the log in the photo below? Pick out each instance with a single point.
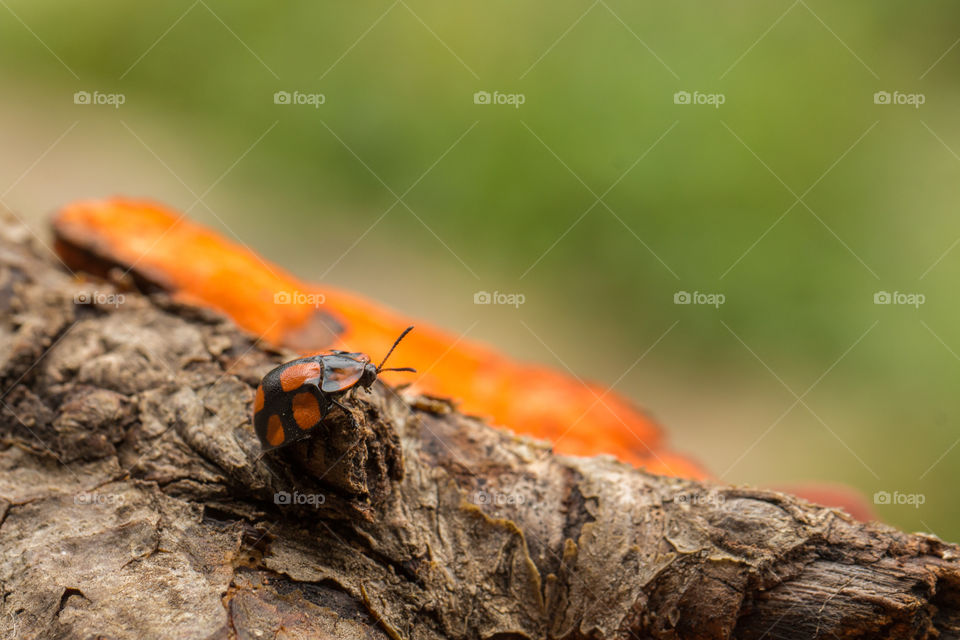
(599, 198)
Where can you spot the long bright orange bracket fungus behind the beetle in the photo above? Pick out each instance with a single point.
(161, 249)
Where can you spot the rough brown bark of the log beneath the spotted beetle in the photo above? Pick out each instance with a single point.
(134, 505)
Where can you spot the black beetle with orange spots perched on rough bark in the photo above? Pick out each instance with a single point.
(293, 399)
